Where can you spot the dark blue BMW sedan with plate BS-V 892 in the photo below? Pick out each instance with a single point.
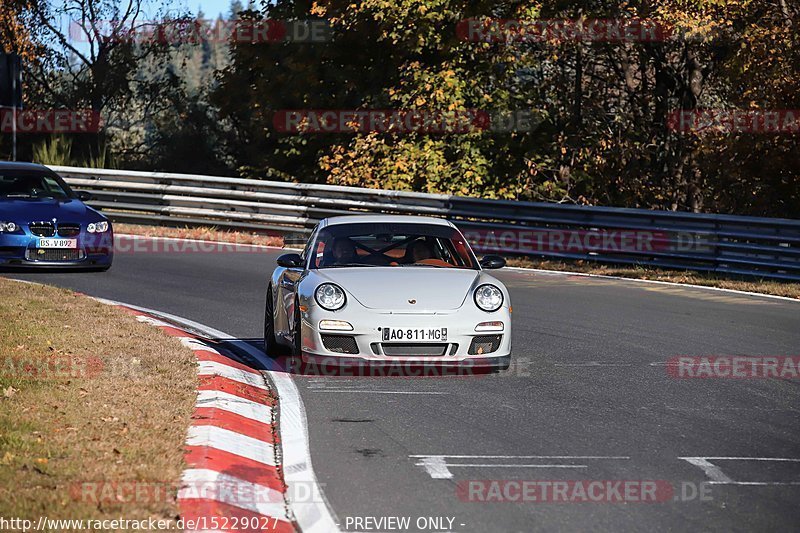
(43, 223)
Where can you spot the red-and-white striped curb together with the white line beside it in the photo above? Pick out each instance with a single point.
(241, 475)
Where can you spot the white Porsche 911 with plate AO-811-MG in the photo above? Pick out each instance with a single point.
(388, 289)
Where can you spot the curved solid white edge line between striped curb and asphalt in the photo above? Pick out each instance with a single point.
(312, 516)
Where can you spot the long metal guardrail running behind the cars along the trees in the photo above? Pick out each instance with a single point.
(746, 246)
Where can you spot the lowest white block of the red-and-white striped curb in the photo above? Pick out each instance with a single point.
(197, 483)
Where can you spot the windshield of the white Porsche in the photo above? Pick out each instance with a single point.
(391, 245)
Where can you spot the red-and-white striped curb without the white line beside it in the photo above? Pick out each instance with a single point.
(233, 477)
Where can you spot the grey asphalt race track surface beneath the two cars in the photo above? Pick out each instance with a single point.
(588, 397)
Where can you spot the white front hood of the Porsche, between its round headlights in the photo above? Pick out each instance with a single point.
(391, 288)
